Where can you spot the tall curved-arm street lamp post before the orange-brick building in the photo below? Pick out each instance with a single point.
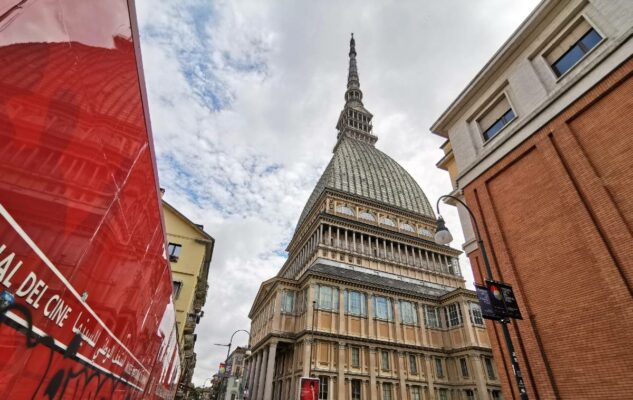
(443, 236)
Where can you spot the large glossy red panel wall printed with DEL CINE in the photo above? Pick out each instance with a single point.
(86, 305)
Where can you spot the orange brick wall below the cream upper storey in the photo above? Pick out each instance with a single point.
(557, 216)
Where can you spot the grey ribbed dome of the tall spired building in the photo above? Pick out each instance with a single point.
(360, 169)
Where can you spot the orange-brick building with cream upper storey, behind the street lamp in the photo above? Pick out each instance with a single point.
(540, 146)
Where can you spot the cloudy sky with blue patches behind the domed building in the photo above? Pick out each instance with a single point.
(244, 97)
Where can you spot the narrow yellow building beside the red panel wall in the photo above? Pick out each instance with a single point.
(189, 249)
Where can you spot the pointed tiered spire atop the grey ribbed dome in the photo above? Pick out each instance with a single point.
(354, 121)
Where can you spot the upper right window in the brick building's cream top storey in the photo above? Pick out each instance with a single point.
(572, 47)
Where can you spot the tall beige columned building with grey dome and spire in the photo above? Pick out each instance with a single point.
(366, 301)
